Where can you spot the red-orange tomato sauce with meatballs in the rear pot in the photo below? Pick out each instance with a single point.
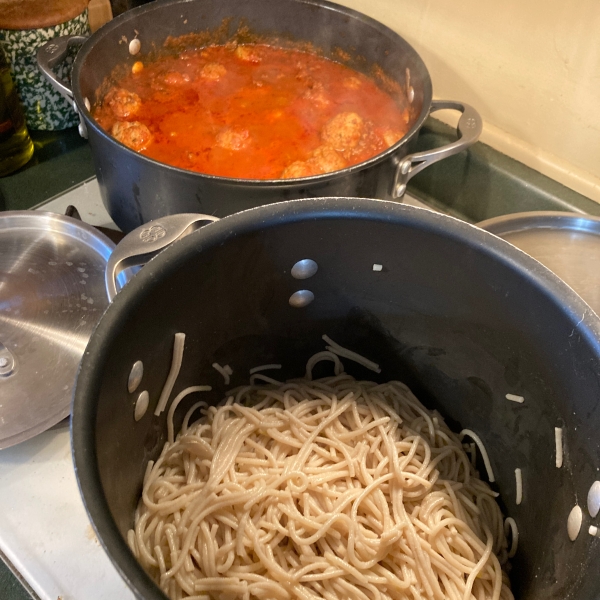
(252, 112)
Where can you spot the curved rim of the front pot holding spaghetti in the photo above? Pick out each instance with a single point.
(216, 233)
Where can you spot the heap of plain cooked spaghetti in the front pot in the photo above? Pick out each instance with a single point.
(333, 488)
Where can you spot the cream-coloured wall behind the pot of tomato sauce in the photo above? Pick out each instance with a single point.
(531, 67)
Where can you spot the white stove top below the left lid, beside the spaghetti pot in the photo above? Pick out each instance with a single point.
(44, 530)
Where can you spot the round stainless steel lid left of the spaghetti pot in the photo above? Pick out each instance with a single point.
(51, 296)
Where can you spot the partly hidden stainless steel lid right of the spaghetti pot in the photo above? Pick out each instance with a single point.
(566, 243)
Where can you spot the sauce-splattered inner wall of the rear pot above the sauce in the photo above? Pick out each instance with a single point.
(339, 33)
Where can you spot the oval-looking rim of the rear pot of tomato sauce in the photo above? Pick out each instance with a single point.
(125, 18)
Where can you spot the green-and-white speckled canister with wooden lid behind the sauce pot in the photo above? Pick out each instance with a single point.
(25, 25)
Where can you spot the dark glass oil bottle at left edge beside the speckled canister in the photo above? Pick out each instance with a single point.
(16, 147)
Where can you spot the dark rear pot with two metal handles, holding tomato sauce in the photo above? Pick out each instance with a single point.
(136, 189)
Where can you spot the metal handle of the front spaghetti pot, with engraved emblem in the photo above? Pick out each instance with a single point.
(145, 242)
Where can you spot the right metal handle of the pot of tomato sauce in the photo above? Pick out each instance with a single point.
(468, 129)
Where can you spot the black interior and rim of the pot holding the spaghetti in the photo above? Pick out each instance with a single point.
(459, 315)
